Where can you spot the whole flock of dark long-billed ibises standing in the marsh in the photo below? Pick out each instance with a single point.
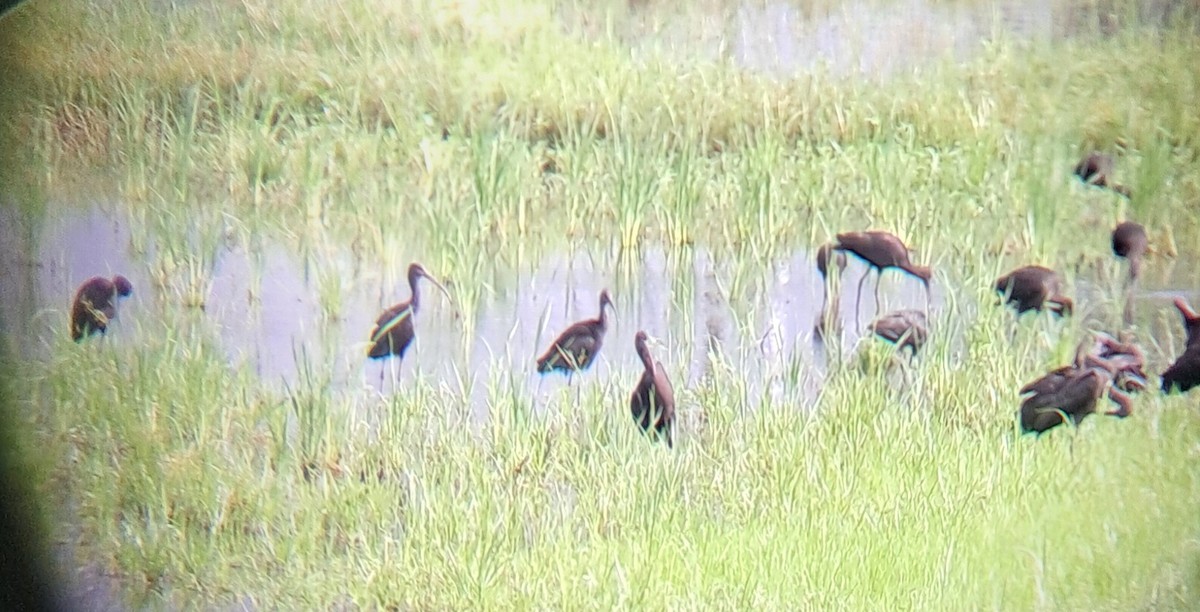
(1103, 365)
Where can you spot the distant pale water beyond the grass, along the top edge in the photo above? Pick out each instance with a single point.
(863, 38)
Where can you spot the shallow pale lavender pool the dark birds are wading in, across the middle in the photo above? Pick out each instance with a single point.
(285, 315)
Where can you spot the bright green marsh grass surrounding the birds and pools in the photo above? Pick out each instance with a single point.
(321, 128)
